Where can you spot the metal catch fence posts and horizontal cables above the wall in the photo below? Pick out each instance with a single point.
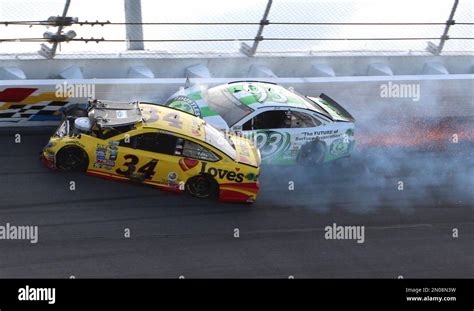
(135, 40)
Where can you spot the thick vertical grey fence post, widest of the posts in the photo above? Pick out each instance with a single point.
(133, 14)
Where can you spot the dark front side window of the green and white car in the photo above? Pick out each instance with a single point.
(273, 119)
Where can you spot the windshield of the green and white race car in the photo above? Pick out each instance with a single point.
(226, 105)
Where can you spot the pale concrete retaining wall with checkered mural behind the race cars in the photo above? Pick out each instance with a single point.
(439, 95)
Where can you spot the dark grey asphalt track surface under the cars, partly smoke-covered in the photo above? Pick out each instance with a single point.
(407, 233)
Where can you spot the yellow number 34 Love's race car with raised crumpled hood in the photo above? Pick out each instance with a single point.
(155, 145)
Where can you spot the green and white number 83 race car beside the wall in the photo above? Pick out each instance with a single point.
(287, 127)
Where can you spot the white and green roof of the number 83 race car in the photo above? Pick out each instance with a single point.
(270, 97)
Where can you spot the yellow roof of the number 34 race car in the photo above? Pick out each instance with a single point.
(173, 120)
